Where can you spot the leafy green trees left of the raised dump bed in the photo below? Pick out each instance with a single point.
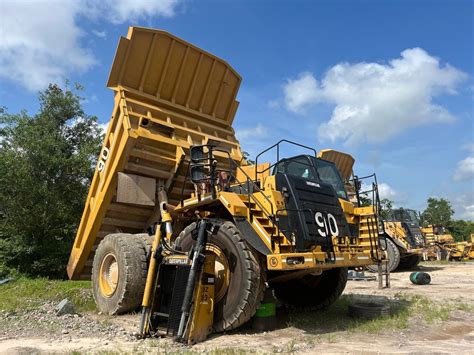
(46, 164)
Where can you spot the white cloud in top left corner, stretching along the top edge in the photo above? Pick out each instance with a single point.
(40, 41)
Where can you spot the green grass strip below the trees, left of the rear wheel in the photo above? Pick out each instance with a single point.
(25, 294)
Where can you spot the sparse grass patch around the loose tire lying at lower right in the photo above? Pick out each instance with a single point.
(336, 318)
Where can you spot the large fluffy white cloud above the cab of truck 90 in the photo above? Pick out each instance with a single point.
(373, 102)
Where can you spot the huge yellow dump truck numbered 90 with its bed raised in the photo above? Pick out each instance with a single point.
(170, 159)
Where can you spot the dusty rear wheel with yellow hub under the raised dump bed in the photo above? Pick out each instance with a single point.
(119, 273)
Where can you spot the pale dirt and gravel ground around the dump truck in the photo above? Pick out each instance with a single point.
(95, 333)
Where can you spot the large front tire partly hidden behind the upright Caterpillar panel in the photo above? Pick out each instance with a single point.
(239, 275)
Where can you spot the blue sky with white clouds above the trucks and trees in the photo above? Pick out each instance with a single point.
(391, 82)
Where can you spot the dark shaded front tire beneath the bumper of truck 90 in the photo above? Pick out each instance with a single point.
(312, 292)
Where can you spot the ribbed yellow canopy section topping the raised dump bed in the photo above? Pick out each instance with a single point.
(154, 65)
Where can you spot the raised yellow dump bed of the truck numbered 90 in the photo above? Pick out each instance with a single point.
(169, 95)
